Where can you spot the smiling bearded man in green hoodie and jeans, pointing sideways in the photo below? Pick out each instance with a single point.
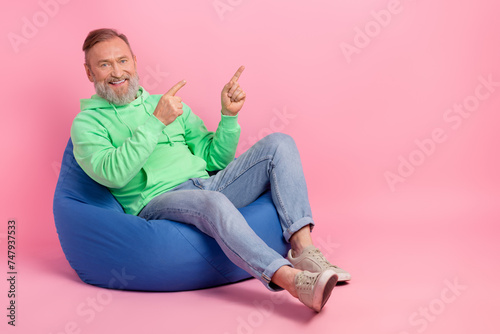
(153, 153)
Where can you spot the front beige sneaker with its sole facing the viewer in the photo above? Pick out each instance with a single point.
(314, 289)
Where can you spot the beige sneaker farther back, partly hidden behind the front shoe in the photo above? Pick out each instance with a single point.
(314, 261)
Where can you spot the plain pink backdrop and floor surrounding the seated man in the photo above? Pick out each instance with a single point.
(353, 116)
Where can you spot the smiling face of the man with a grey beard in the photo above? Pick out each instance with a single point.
(112, 69)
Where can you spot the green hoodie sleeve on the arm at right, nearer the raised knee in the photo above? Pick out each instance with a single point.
(217, 148)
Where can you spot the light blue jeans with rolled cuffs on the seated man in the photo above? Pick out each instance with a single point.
(211, 204)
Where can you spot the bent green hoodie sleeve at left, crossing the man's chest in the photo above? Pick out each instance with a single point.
(111, 166)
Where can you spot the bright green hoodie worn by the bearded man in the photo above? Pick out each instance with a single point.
(130, 151)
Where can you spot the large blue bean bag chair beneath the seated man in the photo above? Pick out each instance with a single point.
(111, 249)
